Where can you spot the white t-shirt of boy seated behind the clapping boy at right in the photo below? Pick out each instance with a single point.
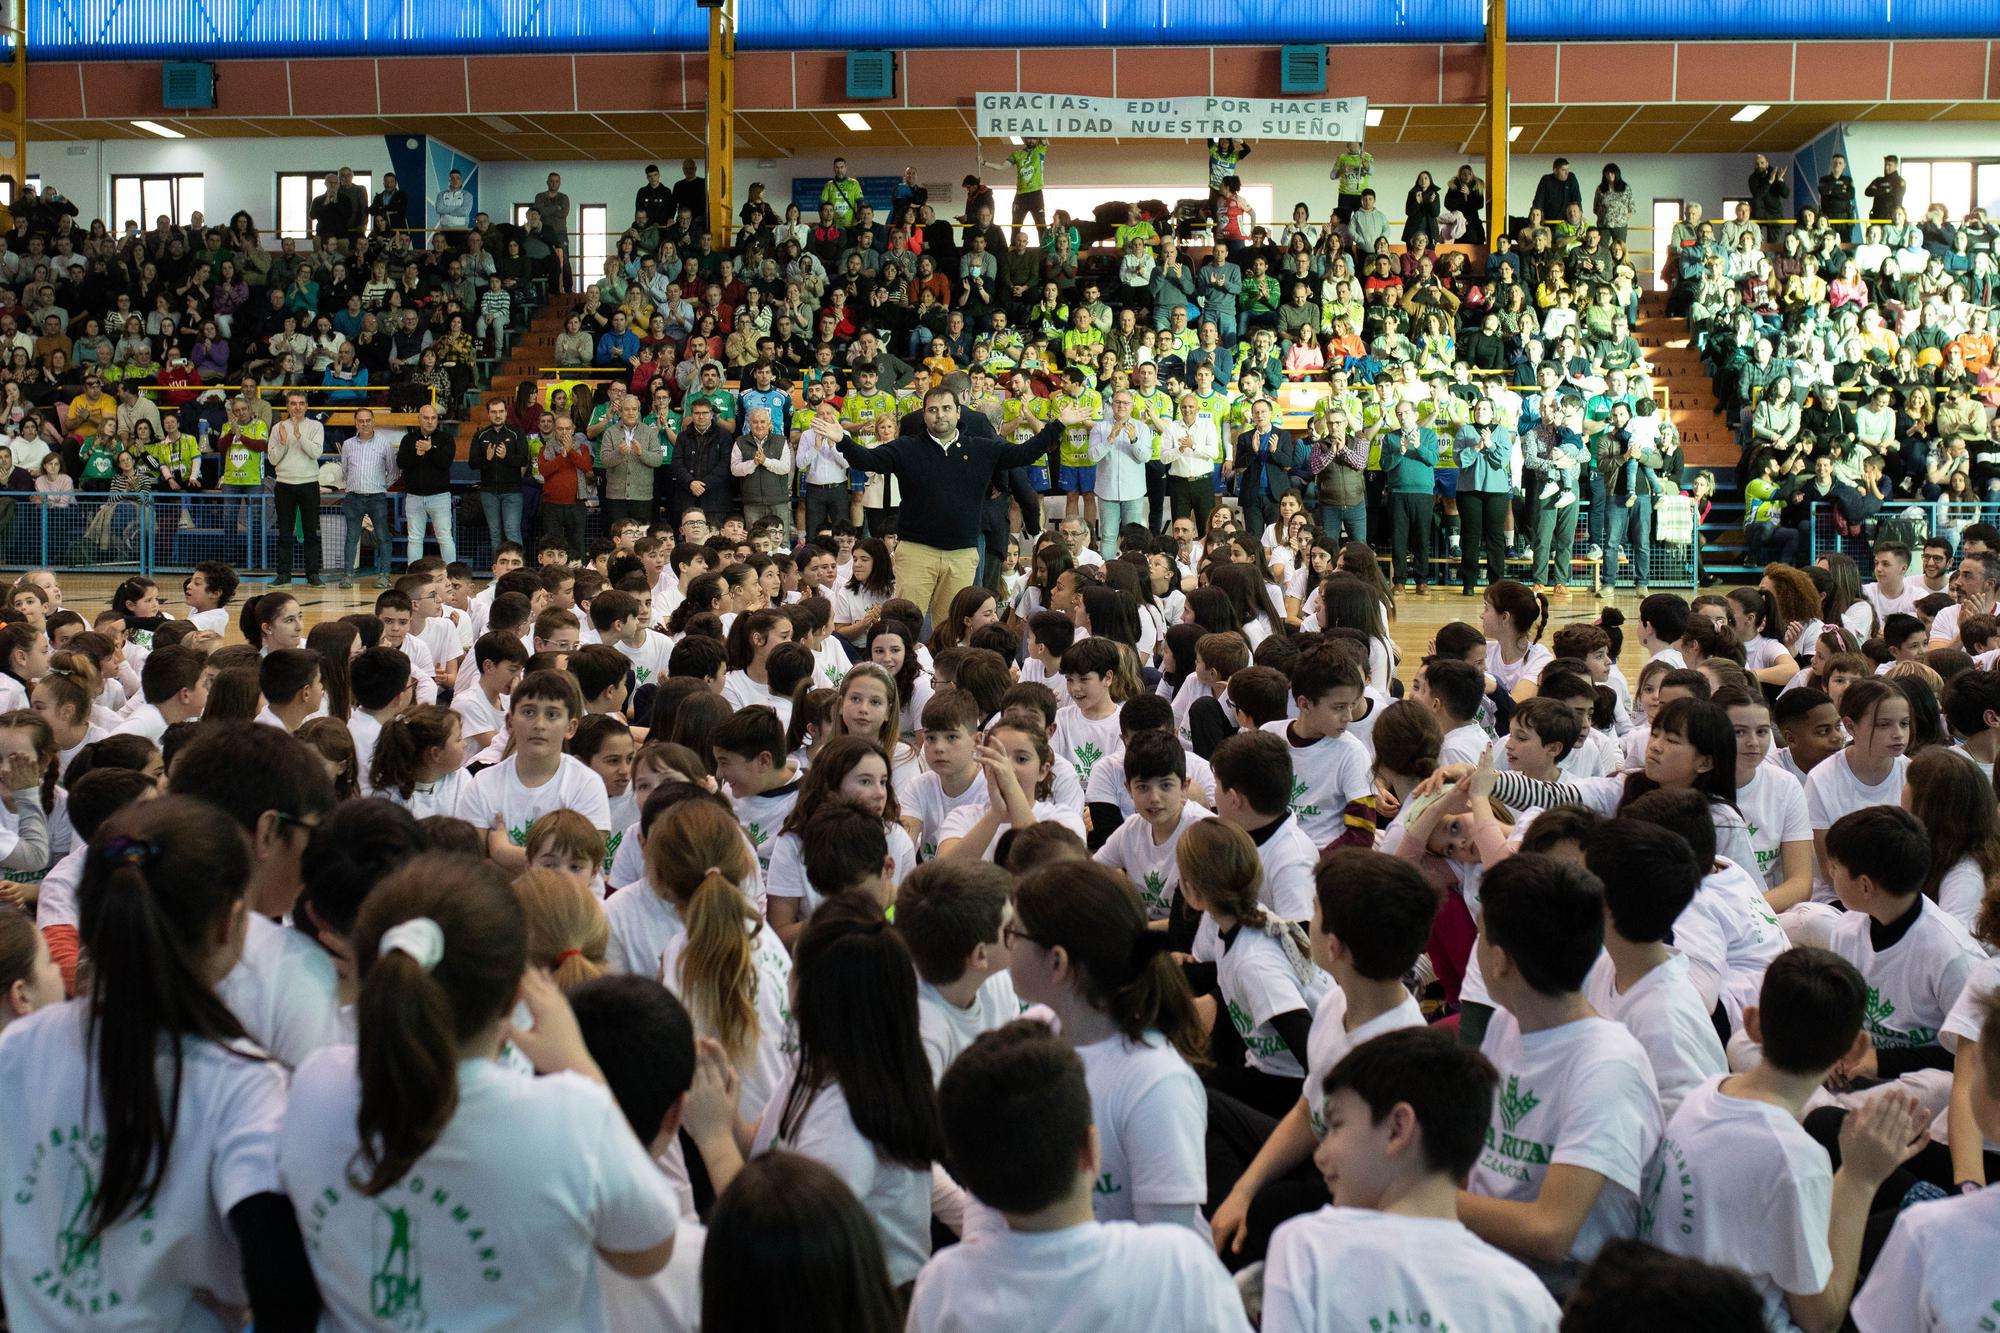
(1915, 984)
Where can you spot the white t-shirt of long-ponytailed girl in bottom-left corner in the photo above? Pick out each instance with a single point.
(149, 1266)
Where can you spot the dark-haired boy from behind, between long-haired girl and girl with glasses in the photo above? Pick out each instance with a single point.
(953, 916)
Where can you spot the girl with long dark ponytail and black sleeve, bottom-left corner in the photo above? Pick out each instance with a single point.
(141, 1124)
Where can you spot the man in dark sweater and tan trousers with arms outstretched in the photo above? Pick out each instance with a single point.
(947, 477)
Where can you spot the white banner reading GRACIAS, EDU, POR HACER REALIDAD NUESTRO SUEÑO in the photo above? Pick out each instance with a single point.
(1055, 115)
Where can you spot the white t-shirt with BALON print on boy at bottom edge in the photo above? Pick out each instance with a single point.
(1363, 1270)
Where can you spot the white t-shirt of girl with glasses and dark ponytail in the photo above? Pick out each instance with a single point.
(1153, 1122)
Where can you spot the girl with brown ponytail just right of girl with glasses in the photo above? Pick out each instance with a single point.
(1265, 976)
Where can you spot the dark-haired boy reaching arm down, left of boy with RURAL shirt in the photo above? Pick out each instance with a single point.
(1371, 922)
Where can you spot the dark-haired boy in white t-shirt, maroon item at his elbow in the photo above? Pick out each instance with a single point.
(1331, 770)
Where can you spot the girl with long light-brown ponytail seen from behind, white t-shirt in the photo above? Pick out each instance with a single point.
(725, 966)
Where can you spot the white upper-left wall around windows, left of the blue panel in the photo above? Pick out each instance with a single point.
(239, 173)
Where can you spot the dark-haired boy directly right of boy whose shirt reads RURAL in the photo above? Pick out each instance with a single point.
(1649, 878)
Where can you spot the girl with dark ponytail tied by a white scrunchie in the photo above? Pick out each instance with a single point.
(411, 1148)
